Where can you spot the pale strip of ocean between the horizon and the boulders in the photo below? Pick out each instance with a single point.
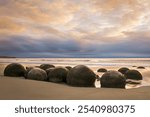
(84, 61)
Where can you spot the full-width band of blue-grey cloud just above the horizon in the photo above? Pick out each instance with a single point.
(23, 47)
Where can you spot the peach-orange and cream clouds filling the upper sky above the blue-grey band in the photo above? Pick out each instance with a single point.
(101, 20)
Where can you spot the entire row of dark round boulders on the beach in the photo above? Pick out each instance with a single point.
(79, 76)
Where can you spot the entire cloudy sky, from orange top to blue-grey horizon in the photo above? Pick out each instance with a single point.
(75, 28)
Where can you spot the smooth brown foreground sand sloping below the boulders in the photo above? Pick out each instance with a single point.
(19, 88)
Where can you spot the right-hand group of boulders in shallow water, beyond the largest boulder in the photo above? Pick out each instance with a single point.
(118, 79)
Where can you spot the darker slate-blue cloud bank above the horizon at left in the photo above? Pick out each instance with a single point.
(26, 46)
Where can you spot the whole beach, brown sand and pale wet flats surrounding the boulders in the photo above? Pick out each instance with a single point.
(18, 88)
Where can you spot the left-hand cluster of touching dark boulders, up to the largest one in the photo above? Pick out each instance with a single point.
(79, 75)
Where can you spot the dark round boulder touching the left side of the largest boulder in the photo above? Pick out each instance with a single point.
(58, 74)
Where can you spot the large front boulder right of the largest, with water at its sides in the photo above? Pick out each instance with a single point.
(113, 79)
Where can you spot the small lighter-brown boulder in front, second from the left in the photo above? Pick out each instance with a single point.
(37, 74)
